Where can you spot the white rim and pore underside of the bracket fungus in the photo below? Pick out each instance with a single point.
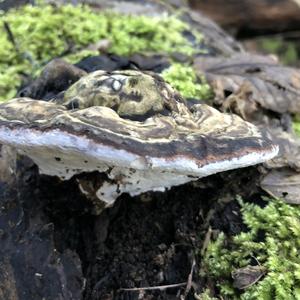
(62, 154)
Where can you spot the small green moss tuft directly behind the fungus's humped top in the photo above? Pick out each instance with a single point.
(184, 79)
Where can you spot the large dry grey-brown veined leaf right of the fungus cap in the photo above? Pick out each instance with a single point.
(249, 84)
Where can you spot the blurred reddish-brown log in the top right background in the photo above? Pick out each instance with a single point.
(252, 16)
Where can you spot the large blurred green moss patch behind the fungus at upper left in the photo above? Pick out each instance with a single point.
(43, 33)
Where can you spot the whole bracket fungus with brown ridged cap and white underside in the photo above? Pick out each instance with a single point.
(132, 128)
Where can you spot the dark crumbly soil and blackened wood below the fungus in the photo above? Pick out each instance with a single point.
(53, 245)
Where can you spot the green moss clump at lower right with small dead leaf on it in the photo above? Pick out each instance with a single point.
(278, 252)
